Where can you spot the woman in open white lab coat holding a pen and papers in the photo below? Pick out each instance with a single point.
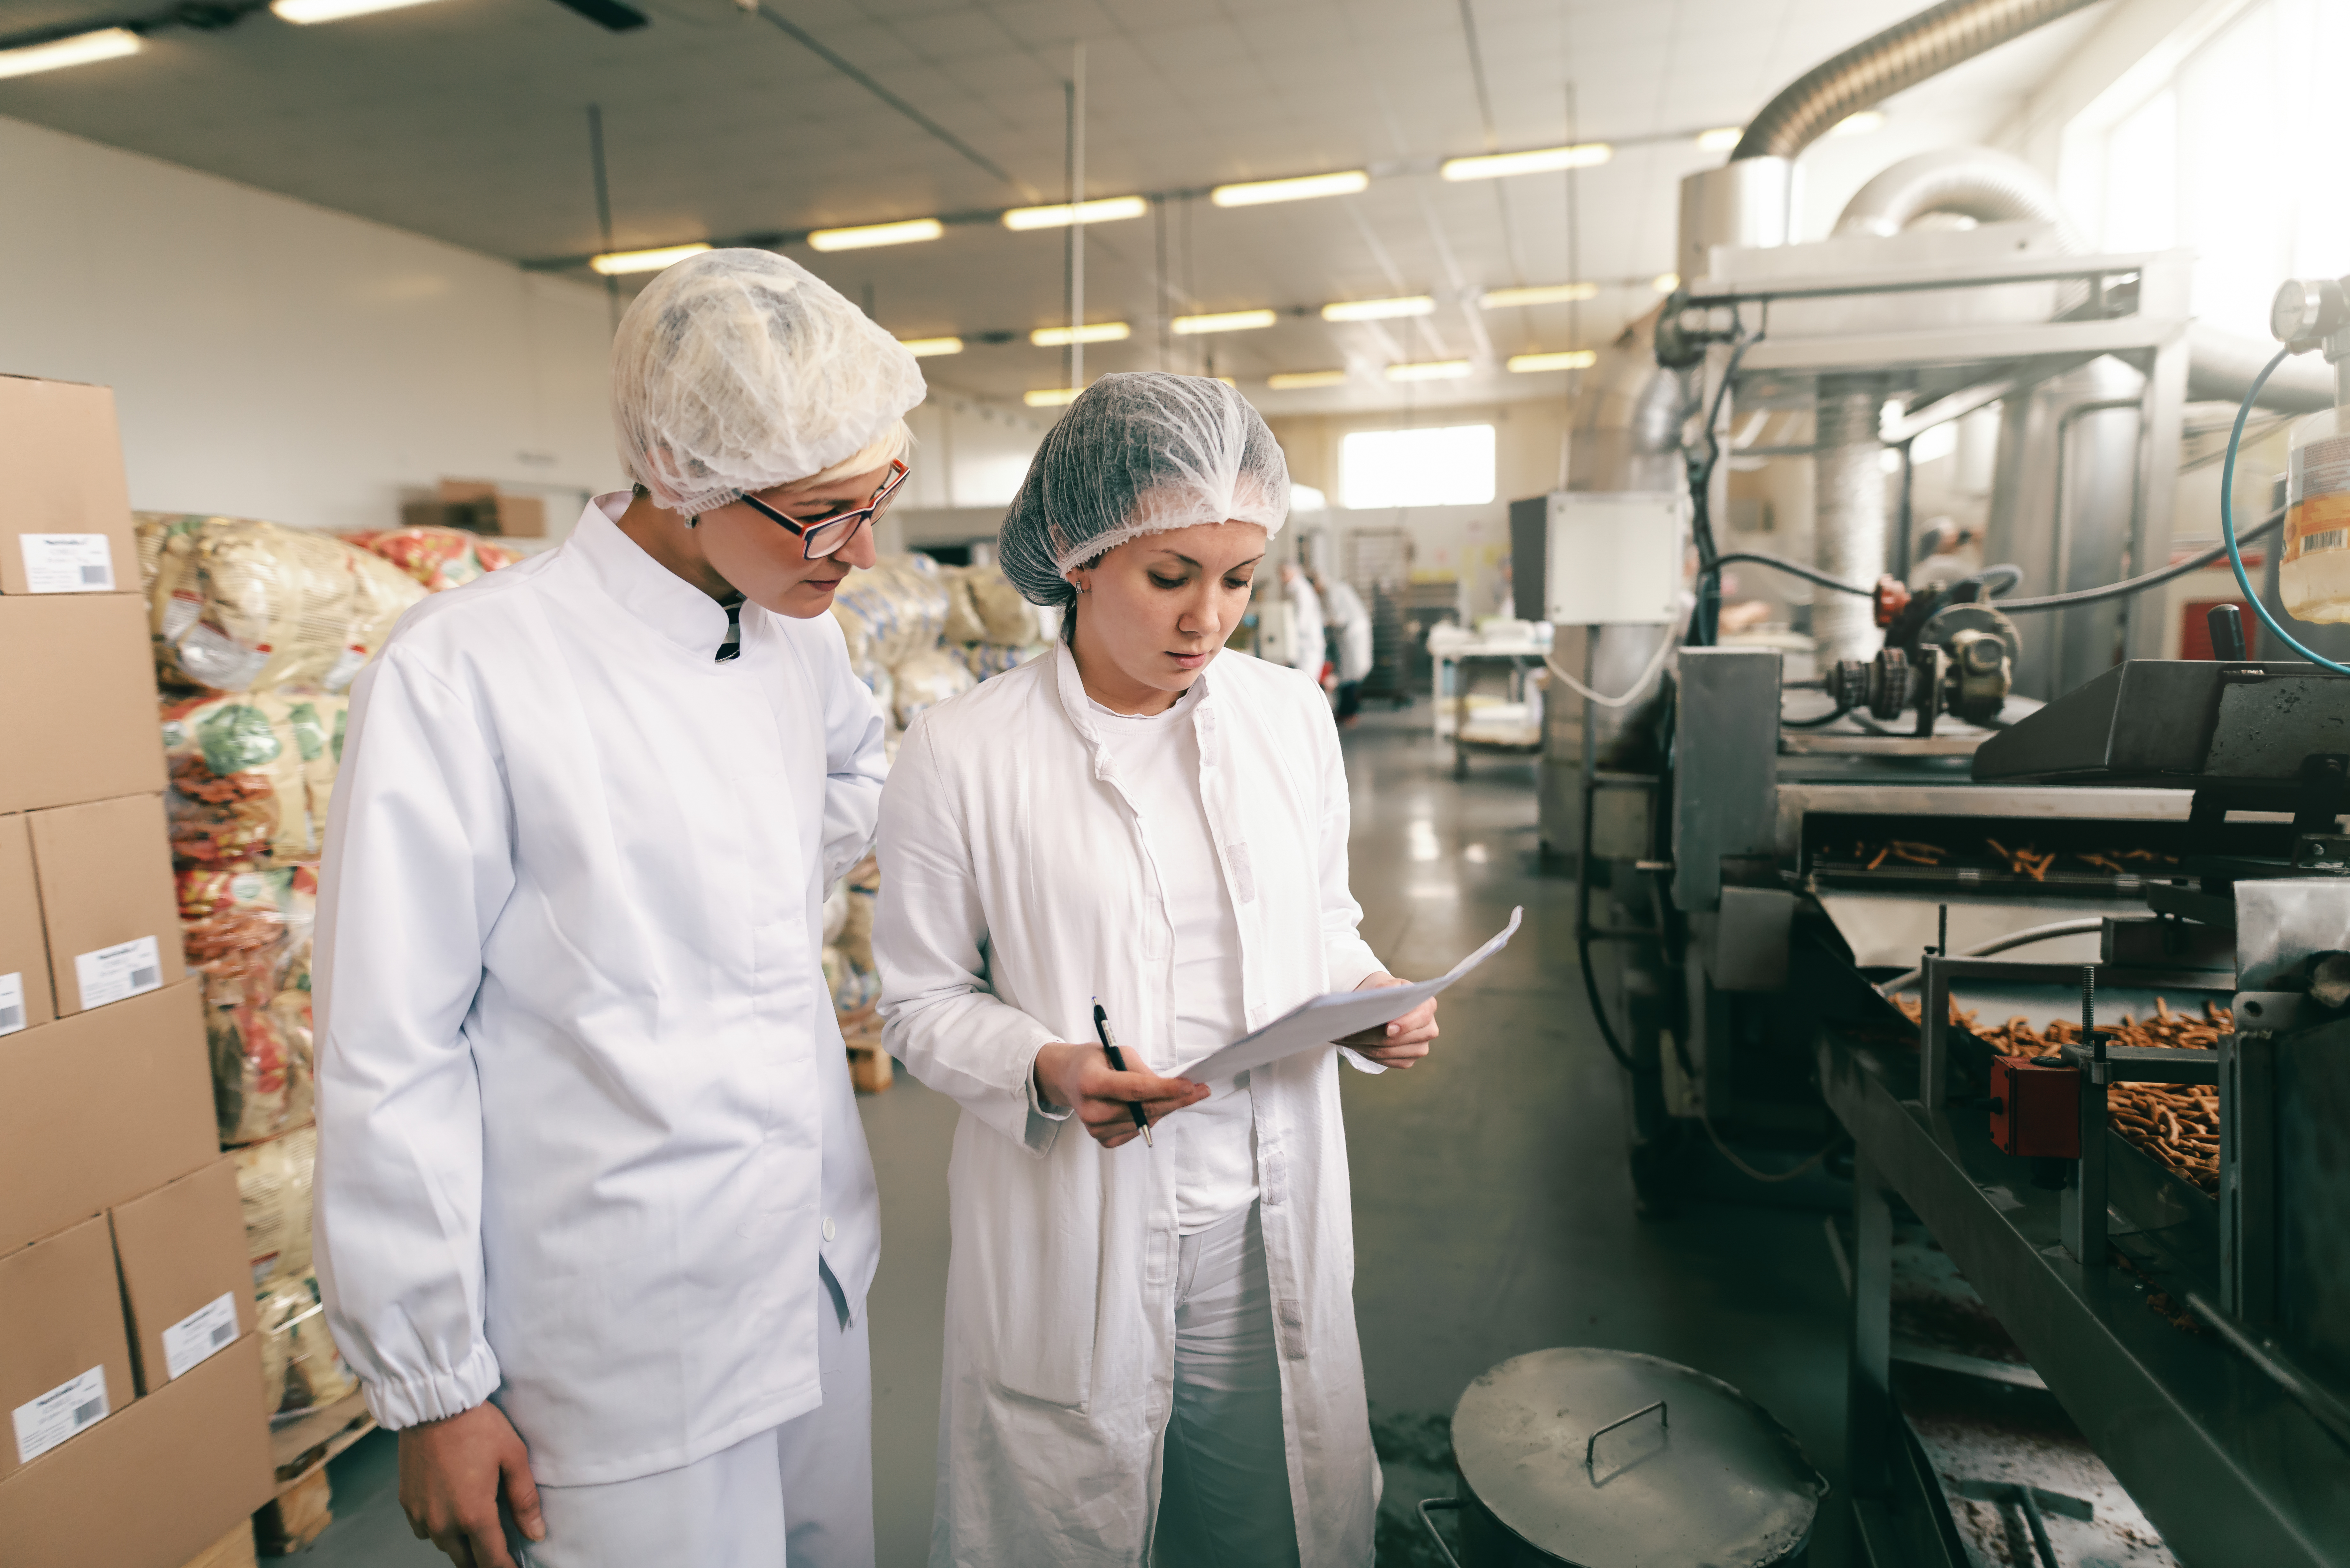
(1150, 1351)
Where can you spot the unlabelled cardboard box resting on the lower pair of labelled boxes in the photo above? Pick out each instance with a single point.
(102, 1108)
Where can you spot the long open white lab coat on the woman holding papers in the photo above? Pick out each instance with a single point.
(1014, 892)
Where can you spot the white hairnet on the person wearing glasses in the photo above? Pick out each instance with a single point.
(741, 370)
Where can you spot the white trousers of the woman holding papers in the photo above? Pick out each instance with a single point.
(1226, 1485)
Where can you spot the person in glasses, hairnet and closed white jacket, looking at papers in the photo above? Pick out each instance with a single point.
(596, 1217)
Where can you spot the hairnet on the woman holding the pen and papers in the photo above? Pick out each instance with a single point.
(1139, 455)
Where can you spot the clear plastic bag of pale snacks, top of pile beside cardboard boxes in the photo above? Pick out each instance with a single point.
(241, 605)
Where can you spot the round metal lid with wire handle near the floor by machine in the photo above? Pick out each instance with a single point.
(1703, 1475)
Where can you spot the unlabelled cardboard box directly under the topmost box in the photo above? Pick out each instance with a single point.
(81, 702)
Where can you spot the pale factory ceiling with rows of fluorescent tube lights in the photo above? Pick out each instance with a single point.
(469, 121)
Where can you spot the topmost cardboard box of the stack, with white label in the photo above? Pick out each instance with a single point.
(67, 525)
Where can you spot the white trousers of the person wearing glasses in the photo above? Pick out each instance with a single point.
(800, 1494)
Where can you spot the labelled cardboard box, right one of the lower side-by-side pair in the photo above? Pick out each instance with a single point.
(184, 1278)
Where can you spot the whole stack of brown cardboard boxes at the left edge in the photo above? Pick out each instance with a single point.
(128, 1353)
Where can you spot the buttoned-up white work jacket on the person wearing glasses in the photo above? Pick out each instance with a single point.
(584, 1106)
